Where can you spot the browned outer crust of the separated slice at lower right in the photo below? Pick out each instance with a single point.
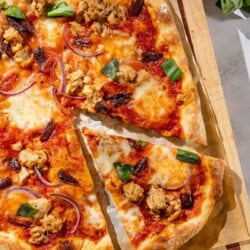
(174, 237)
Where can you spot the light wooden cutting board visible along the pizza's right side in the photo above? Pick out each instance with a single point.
(236, 225)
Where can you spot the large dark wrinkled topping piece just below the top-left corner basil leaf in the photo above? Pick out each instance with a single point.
(23, 26)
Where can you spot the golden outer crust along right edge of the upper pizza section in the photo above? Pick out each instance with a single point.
(191, 115)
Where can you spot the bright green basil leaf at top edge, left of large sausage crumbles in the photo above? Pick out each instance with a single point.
(60, 10)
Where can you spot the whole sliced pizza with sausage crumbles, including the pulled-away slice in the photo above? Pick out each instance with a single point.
(115, 59)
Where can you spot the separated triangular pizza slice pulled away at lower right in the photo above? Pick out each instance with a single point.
(164, 196)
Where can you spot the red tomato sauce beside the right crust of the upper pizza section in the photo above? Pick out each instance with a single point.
(142, 25)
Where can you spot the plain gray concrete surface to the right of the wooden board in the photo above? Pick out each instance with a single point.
(234, 76)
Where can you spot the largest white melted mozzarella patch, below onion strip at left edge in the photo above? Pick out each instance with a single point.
(31, 109)
